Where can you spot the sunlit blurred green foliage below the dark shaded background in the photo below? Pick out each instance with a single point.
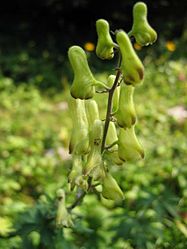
(155, 189)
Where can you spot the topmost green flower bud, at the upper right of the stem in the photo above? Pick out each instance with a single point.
(141, 30)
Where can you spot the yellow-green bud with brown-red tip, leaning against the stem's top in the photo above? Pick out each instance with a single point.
(131, 66)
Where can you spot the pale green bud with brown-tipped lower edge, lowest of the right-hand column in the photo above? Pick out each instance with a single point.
(129, 148)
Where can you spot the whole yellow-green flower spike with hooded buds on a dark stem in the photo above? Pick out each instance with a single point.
(97, 144)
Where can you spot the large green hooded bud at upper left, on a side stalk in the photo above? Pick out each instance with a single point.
(84, 81)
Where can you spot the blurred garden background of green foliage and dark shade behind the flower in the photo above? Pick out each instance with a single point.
(35, 127)
